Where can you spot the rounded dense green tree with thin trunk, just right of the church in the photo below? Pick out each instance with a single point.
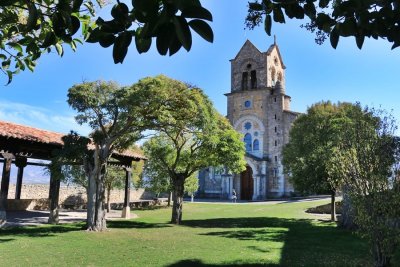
(313, 138)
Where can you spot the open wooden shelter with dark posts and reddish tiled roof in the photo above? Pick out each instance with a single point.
(18, 143)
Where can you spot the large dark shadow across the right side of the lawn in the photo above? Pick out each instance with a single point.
(305, 242)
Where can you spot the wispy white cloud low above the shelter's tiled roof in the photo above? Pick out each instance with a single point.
(40, 118)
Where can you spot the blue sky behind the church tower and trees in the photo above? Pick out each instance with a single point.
(313, 73)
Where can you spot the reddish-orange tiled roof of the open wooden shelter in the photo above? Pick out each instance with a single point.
(27, 133)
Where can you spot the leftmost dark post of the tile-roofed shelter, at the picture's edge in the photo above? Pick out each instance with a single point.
(5, 183)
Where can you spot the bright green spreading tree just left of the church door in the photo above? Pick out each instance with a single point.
(190, 137)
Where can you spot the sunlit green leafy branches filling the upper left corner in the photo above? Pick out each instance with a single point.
(30, 28)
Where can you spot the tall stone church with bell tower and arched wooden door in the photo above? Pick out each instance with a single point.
(259, 108)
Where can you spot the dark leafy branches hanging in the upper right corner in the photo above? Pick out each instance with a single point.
(333, 18)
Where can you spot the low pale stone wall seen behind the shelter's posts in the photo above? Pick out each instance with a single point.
(73, 193)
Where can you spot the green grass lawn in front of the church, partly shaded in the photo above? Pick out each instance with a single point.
(211, 235)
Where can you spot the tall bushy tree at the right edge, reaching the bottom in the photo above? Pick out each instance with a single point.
(367, 160)
